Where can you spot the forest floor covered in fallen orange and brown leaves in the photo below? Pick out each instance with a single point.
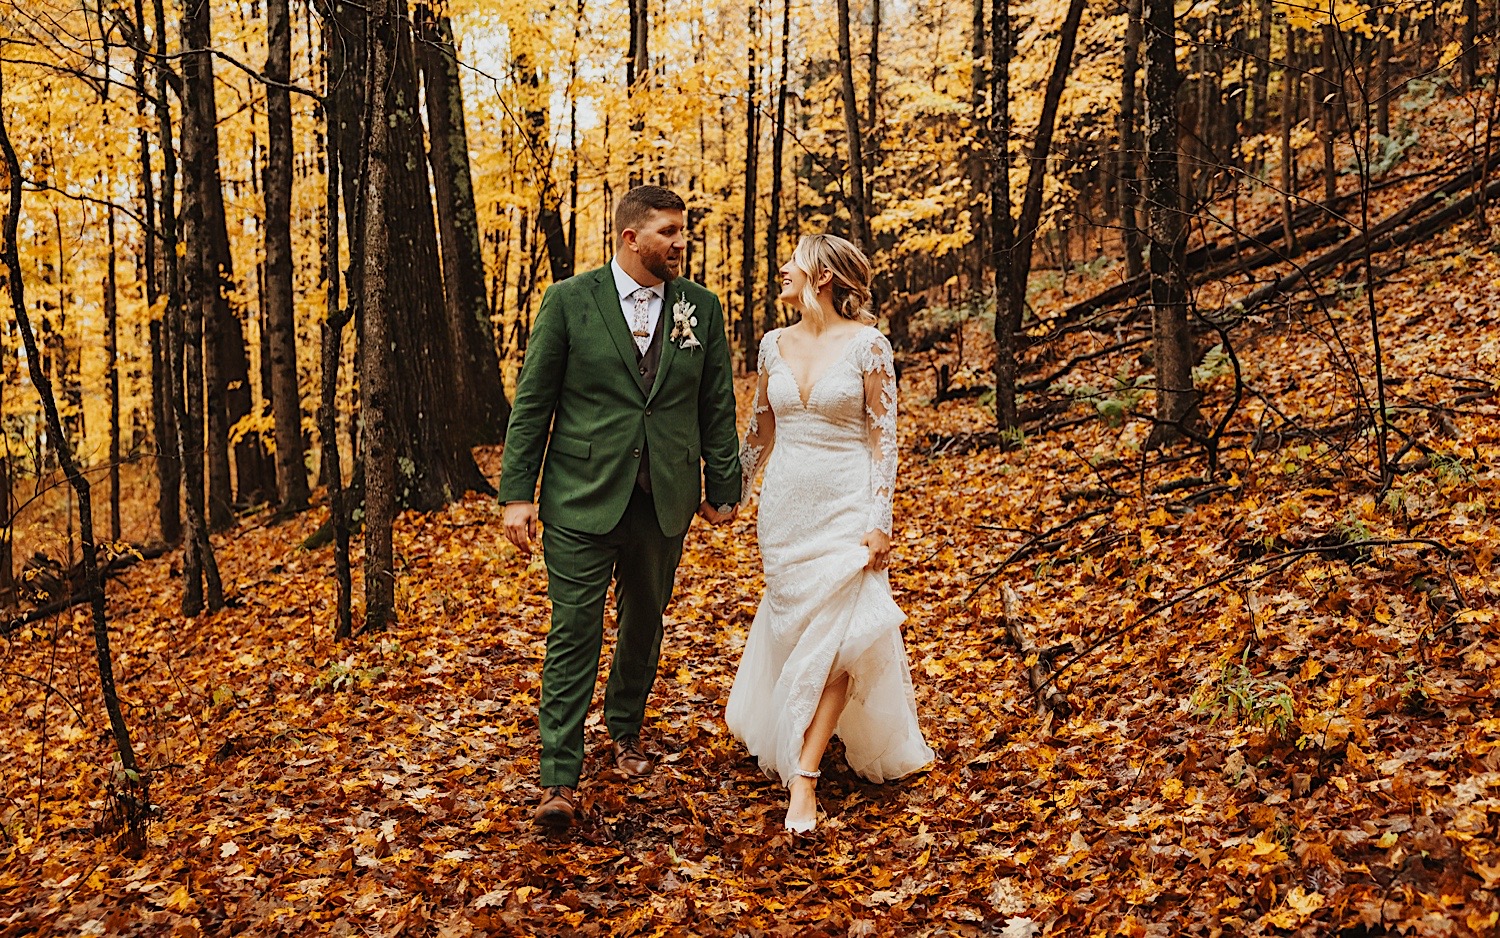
(1283, 696)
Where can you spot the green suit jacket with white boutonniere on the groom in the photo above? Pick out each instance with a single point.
(581, 419)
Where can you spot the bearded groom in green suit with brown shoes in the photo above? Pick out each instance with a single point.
(626, 409)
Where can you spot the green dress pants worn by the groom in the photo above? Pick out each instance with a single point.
(643, 564)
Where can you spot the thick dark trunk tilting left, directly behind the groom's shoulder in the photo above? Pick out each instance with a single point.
(478, 367)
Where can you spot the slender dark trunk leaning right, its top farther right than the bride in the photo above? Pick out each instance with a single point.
(1012, 301)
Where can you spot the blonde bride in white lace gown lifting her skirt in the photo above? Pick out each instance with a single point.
(826, 651)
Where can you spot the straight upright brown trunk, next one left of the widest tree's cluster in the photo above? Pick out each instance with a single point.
(281, 322)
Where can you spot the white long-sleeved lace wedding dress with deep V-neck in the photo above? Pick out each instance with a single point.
(830, 474)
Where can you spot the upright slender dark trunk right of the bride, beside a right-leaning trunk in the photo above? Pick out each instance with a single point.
(1003, 232)
